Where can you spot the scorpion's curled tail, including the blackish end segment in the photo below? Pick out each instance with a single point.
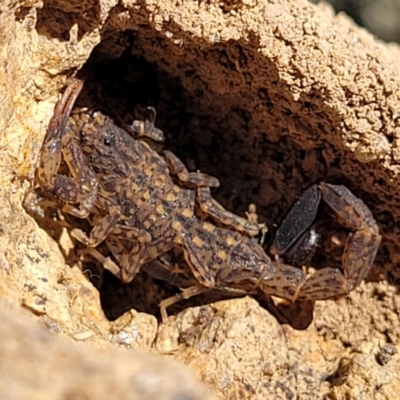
(359, 251)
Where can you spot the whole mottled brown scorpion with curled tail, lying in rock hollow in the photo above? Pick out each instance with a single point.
(149, 210)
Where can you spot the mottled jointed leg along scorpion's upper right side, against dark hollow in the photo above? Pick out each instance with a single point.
(202, 183)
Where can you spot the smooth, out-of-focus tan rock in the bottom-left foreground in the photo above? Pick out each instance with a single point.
(37, 364)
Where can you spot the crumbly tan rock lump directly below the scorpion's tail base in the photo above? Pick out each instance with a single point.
(242, 351)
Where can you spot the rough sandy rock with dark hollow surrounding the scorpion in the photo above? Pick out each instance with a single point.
(281, 93)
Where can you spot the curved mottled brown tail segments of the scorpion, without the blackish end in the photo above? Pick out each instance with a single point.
(359, 252)
